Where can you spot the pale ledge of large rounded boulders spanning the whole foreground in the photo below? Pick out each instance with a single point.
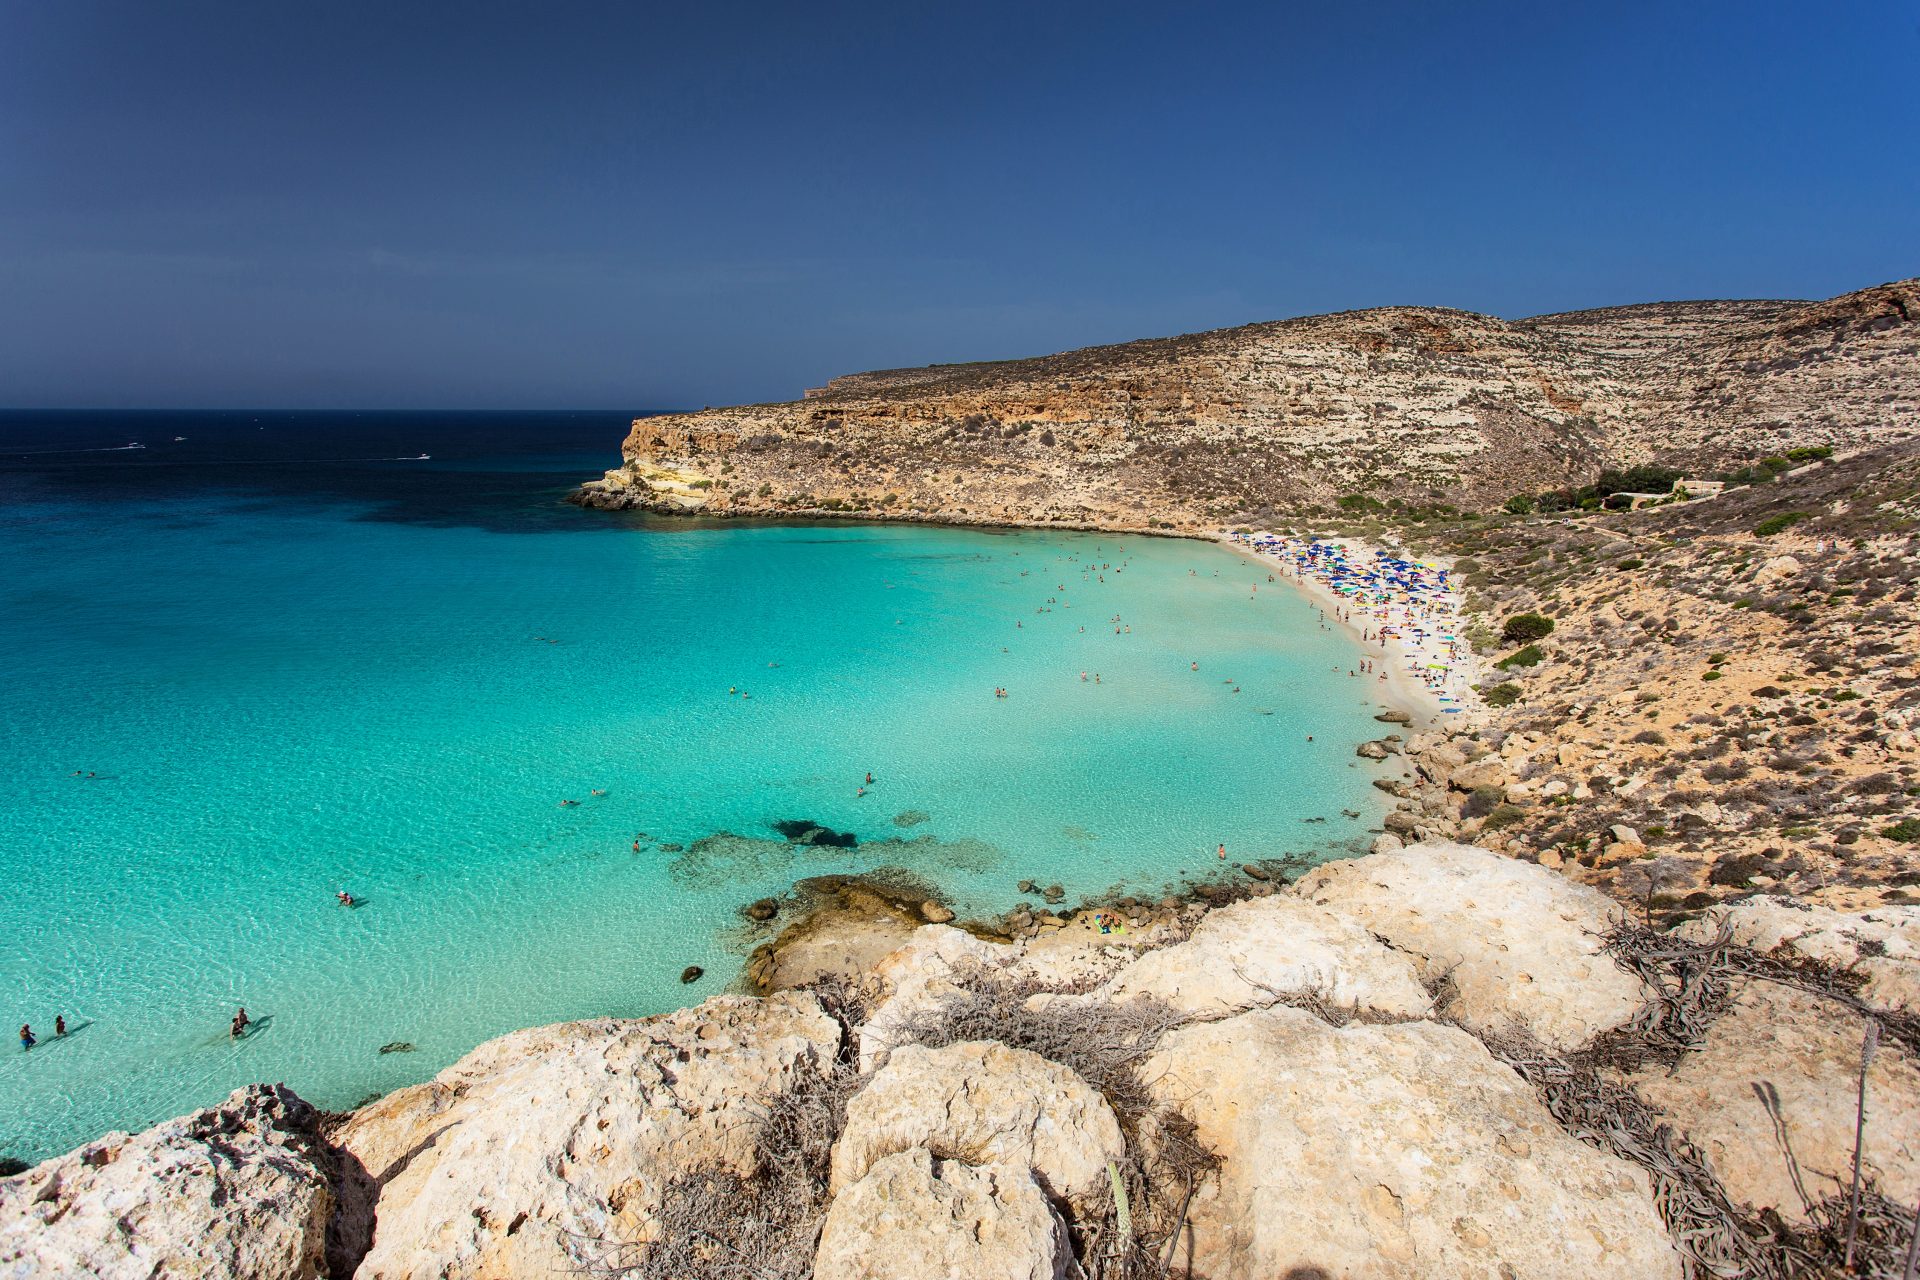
(1378, 1072)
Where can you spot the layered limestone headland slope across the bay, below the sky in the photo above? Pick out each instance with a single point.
(1188, 433)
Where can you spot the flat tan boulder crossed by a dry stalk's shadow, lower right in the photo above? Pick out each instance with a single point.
(1779, 1049)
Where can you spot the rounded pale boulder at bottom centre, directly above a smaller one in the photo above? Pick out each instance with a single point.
(986, 1104)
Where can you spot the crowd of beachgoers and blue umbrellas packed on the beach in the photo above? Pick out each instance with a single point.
(1406, 609)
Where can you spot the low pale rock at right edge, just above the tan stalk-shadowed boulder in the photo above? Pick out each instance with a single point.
(1881, 947)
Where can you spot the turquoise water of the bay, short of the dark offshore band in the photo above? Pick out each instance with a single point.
(281, 698)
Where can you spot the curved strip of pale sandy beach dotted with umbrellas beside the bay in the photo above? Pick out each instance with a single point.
(1428, 675)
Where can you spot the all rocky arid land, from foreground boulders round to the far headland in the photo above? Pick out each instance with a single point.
(1627, 987)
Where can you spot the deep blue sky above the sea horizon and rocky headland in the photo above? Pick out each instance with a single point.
(669, 206)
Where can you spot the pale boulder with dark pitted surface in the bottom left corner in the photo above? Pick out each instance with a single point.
(237, 1193)
